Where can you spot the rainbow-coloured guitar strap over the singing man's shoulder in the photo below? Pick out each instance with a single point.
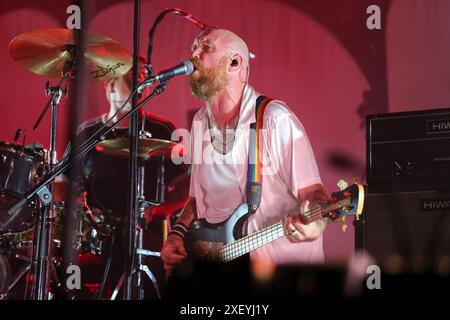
(254, 172)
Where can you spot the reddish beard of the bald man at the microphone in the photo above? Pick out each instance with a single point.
(208, 82)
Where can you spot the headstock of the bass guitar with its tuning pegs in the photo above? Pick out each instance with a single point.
(347, 202)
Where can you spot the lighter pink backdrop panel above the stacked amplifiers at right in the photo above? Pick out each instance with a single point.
(418, 54)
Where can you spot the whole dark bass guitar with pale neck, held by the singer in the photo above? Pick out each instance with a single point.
(224, 241)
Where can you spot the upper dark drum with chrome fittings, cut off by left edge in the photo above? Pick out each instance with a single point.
(21, 168)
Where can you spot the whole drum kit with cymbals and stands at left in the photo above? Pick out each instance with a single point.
(50, 53)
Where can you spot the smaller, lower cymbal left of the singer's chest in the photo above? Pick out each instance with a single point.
(147, 147)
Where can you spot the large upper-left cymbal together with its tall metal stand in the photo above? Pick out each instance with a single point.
(50, 52)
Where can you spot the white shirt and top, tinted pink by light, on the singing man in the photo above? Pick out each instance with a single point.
(289, 165)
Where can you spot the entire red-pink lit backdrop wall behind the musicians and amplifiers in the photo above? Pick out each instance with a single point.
(314, 55)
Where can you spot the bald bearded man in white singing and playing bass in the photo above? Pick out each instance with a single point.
(291, 182)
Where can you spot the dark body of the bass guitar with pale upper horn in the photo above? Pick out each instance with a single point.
(205, 239)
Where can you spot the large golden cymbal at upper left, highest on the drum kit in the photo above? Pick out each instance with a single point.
(46, 51)
